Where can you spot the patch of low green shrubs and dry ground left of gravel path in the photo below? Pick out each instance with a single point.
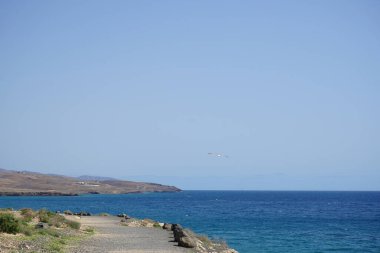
(28, 230)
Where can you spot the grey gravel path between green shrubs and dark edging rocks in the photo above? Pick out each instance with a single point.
(111, 236)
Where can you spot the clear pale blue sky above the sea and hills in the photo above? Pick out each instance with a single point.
(144, 90)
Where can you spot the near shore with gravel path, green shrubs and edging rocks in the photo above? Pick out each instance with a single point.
(102, 233)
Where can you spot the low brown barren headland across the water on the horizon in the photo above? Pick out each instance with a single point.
(26, 183)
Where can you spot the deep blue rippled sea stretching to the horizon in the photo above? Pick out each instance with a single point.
(250, 221)
